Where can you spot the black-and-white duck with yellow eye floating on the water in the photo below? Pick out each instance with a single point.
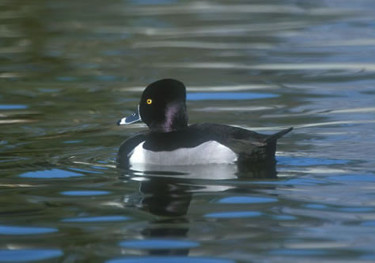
(171, 141)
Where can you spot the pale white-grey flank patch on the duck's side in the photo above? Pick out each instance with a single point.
(210, 152)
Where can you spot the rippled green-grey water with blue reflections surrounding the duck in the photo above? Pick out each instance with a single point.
(69, 70)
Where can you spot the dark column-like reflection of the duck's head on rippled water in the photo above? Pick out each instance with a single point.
(168, 199)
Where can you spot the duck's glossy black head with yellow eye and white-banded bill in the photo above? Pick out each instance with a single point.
(162, 107)
